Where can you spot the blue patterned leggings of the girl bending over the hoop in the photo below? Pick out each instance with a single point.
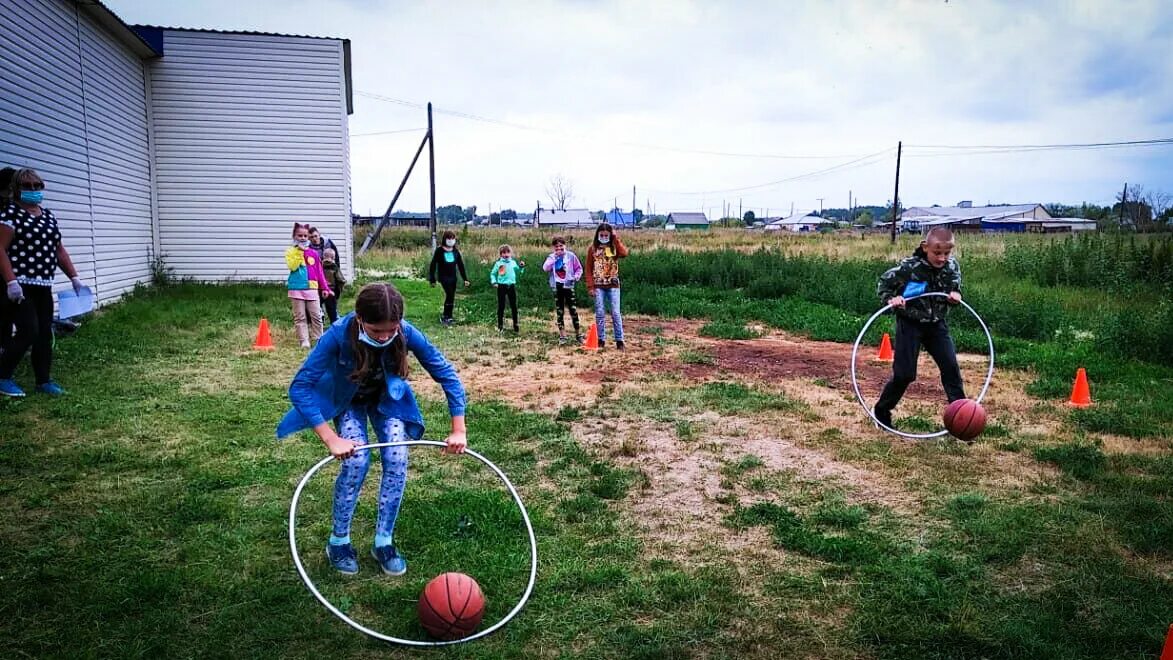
(352, 426)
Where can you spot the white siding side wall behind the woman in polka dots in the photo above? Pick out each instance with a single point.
(72, 108)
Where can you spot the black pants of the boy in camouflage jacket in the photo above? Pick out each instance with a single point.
(911, 336)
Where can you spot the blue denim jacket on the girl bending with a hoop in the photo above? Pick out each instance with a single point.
(322, 389)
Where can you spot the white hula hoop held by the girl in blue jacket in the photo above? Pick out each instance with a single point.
(361, 628)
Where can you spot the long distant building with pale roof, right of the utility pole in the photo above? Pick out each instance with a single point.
(999, 219)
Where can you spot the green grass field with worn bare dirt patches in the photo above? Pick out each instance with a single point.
(146, 512)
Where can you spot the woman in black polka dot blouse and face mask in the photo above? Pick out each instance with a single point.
(31, 251)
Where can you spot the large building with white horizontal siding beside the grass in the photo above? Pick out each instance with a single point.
(155, 141)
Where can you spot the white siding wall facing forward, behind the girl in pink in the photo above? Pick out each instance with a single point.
(250, 135)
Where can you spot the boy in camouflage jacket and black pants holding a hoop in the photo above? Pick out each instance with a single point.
(923, 322)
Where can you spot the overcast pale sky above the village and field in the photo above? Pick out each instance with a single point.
(704, 104)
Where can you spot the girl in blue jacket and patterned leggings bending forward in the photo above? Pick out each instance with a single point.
(356, 373)
